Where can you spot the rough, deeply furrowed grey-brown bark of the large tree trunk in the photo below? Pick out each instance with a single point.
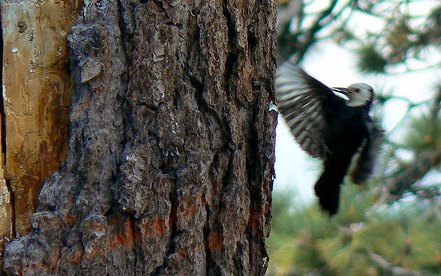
(170, 161)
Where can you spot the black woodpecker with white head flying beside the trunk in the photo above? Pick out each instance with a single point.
(332, 124)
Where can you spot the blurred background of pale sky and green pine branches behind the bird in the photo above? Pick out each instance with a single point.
(391, 226)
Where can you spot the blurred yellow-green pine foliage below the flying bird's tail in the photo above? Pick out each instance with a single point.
(360, 240)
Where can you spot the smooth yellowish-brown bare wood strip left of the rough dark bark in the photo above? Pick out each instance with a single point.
(35, 102)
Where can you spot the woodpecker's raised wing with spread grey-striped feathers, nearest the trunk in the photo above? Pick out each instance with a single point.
(300, 99)
